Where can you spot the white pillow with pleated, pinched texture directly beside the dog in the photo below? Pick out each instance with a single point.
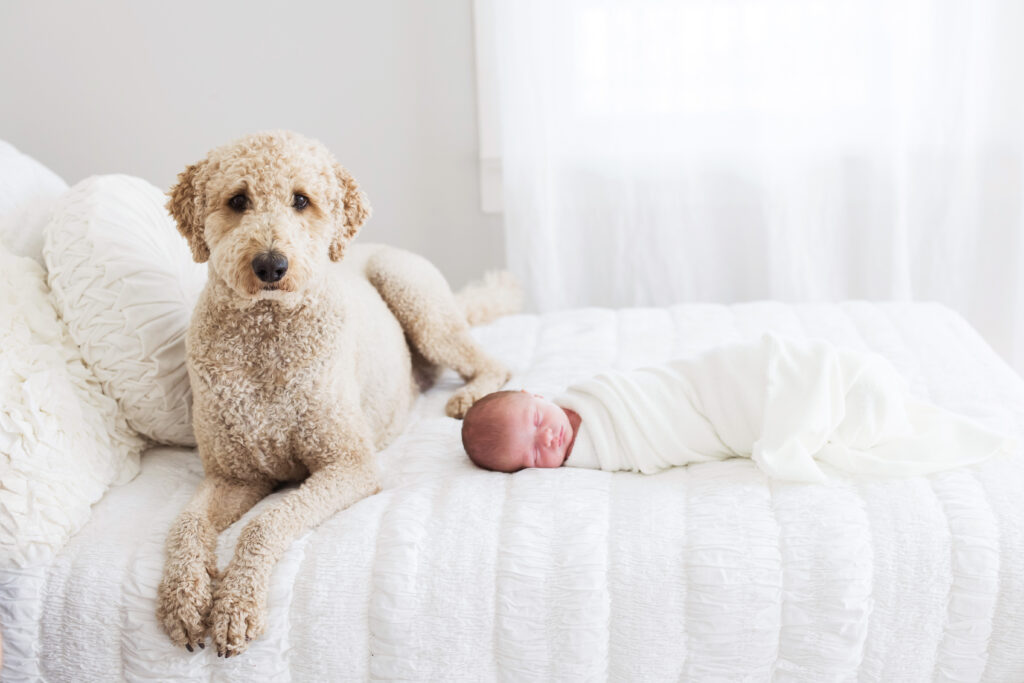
(124, 281)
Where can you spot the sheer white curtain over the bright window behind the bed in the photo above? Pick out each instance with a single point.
(665, 151)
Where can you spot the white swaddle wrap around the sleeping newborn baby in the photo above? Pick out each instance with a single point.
(785, 403)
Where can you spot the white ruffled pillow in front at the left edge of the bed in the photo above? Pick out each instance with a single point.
(63, 442)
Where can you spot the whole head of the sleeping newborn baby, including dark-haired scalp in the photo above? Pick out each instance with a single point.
(506, 432)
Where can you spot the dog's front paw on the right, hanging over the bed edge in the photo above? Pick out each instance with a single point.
(239, 615)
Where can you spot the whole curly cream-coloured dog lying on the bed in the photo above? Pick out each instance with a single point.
(305, 357)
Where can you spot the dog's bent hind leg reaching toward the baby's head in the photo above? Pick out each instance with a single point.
(420, 298)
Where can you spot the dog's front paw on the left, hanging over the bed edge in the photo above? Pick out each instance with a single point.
(184, 603)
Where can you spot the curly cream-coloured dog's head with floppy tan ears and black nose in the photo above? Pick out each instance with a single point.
(268, 212)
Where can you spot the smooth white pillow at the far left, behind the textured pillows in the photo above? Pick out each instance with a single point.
(27, 193)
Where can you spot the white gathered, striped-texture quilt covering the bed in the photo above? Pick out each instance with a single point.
(707, 573)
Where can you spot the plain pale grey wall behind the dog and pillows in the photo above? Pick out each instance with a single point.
(146, 89)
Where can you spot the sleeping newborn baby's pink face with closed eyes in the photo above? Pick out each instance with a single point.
(539, 433)
